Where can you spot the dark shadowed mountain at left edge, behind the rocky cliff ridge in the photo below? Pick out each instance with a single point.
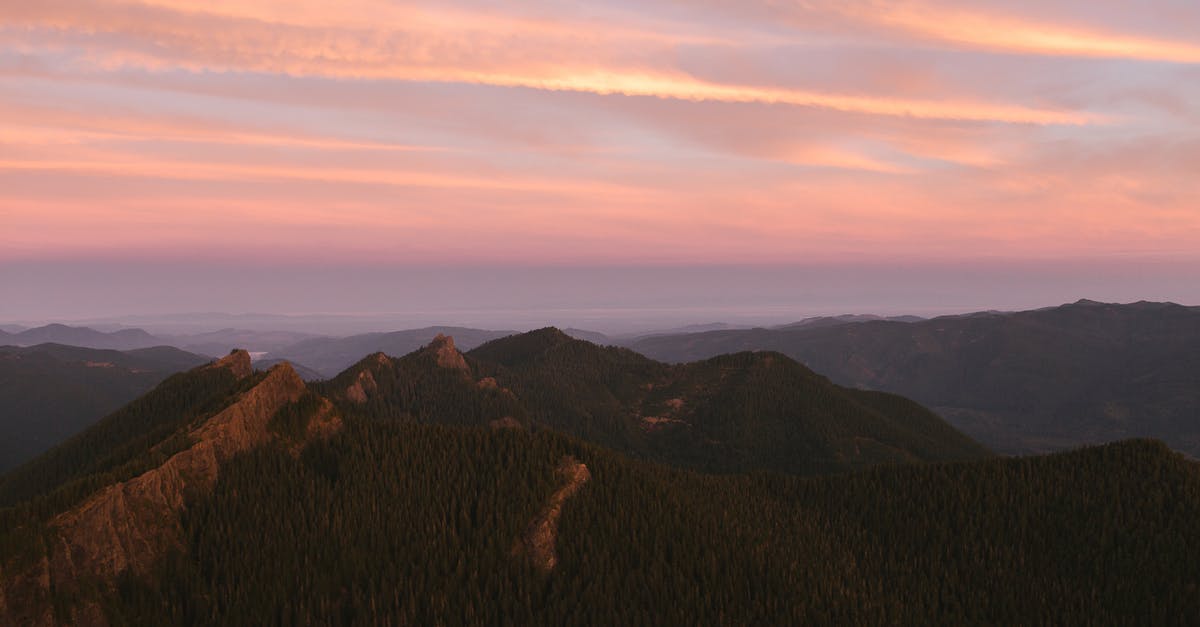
(51, 392)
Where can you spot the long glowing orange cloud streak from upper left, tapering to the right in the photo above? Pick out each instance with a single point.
(557, 62)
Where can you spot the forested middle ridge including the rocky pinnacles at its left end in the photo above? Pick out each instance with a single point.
(733, 414)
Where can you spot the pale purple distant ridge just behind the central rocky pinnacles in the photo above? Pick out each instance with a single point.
(331, 356)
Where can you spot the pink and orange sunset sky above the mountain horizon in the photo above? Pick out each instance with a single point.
(788, 157)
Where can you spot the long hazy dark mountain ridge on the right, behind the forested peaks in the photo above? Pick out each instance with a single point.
(1019, 383)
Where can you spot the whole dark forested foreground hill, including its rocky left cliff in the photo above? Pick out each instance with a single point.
(229, 497)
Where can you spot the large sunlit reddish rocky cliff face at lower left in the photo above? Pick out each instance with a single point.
(129, 526)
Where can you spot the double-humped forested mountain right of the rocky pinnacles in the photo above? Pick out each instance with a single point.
(730, 414)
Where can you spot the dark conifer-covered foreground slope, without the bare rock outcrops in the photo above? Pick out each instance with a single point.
(397, 523)
